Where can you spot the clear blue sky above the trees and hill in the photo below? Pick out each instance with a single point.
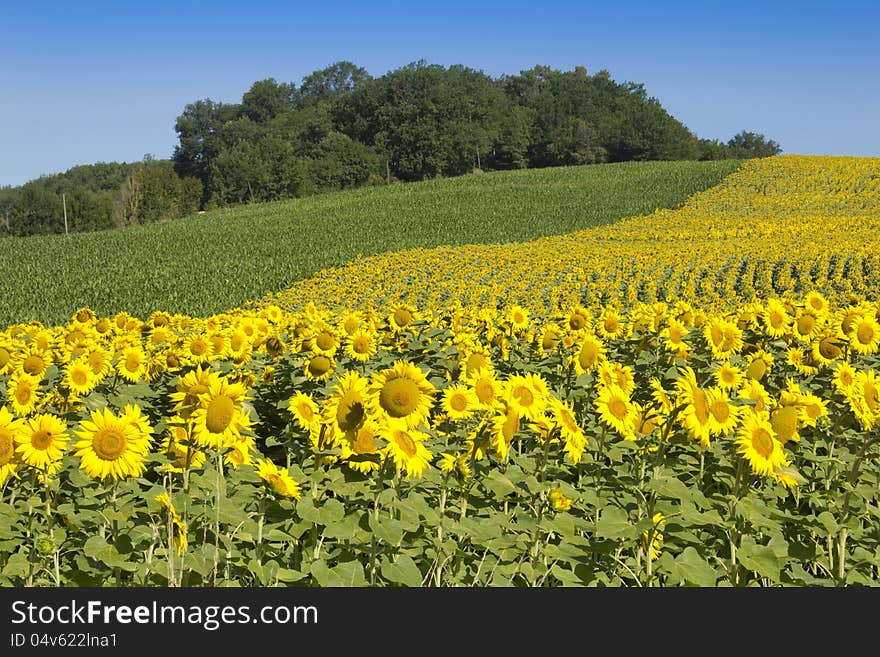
(90, 81)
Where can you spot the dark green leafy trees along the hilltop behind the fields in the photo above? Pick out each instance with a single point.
(342, 128)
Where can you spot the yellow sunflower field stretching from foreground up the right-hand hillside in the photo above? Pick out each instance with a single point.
(685, 398)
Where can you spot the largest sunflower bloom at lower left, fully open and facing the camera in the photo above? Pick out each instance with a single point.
(110, 446)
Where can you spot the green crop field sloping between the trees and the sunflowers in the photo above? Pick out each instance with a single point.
(215, 261)
